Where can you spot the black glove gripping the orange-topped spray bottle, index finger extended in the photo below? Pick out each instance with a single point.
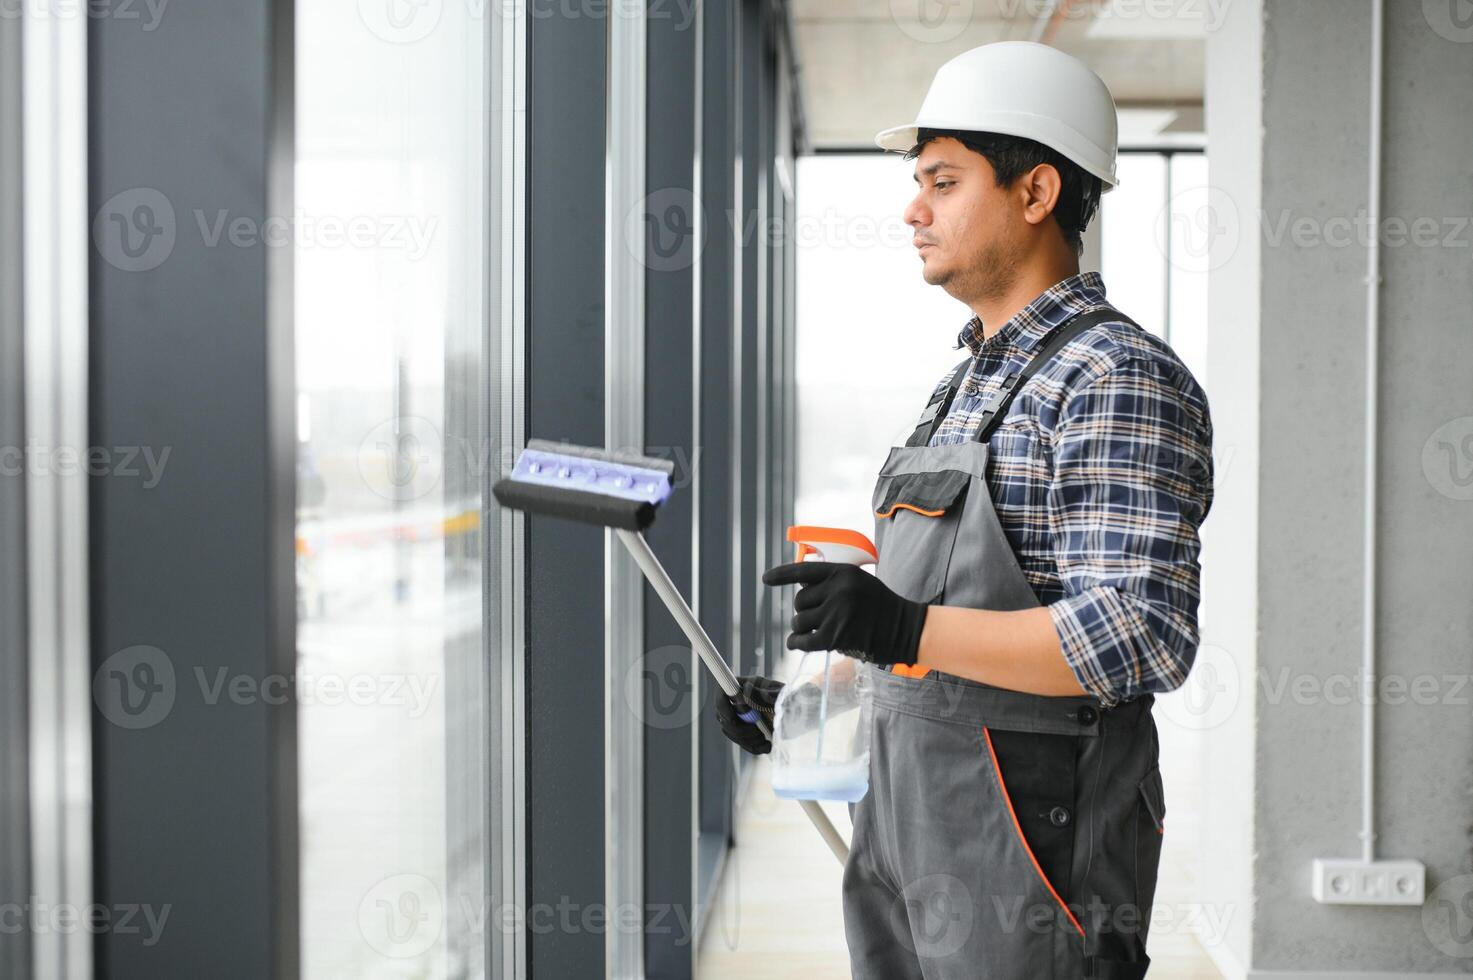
(848, 609)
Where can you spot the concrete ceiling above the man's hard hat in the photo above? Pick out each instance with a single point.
(867, 64)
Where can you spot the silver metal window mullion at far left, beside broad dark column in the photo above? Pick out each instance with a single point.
(55, 318)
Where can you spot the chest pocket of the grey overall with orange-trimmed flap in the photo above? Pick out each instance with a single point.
(917, 518)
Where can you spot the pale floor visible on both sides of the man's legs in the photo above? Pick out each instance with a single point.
(778, 914)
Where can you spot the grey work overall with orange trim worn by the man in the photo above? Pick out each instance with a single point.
(1005, 836)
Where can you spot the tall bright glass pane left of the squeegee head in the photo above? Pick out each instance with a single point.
(390, 245)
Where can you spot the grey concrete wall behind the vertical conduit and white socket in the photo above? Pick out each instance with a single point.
(1307, 377)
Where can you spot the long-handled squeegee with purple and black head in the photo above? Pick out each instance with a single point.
(624, 491)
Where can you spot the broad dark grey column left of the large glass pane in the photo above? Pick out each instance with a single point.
(194, 810)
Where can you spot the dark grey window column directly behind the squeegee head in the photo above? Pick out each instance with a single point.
(565, 562)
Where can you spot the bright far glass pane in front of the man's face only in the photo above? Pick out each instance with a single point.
(859, 293)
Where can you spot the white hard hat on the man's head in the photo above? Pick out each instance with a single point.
(1022, 89)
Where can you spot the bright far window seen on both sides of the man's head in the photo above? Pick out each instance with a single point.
(861, 293)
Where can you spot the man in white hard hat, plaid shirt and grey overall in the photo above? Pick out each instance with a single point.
(1038, 578)
